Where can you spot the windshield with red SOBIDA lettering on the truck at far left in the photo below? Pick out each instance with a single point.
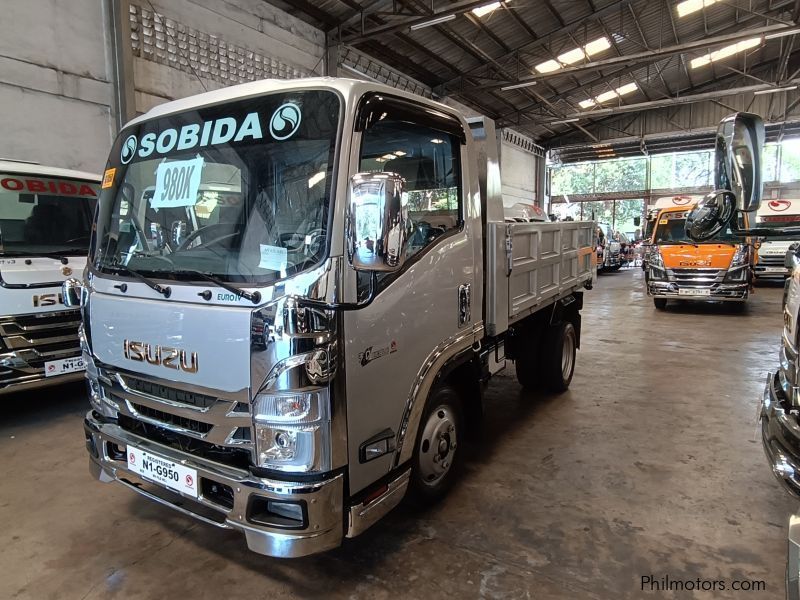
(44, 215)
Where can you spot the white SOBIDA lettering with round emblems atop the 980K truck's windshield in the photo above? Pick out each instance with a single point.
(284, 123)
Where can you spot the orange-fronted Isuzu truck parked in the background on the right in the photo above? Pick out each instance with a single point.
(677, 268)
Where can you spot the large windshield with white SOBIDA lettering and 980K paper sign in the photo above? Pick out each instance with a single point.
(238, 191)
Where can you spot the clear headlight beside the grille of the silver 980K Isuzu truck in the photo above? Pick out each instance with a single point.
(292, 429)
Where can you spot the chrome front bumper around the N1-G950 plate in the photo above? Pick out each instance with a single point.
(324, 522)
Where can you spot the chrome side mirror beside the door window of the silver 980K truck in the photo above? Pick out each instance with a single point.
(377, 225)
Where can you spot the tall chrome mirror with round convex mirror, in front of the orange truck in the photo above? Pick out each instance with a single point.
(737, 177)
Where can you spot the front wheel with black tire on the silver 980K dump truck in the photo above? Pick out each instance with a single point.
(443, 423)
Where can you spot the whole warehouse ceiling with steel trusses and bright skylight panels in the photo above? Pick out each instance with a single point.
(572, 72)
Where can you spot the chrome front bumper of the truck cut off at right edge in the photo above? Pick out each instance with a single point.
(780, 434)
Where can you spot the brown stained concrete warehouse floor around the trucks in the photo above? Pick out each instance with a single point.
(649, 465)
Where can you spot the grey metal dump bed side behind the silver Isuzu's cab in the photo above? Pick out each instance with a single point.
(532, 265)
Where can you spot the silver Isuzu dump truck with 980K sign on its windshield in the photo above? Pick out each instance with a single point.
(297, 291)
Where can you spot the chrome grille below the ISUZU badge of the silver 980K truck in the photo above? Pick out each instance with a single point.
(223, 423)
